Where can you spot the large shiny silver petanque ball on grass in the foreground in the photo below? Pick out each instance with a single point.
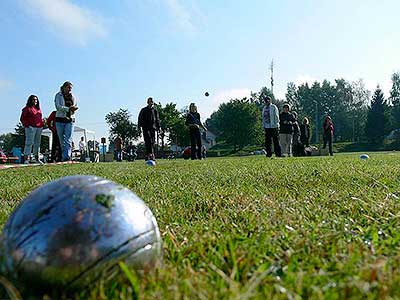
(70, 233)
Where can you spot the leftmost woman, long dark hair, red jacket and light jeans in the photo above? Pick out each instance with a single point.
(31, 119)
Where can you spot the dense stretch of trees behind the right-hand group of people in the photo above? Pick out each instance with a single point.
(357, 116)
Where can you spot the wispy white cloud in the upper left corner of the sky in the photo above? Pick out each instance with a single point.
(70, 21)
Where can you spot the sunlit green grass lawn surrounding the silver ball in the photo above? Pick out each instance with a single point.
(256, 228)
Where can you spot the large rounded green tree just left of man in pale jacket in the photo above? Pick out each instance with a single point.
(238, 123)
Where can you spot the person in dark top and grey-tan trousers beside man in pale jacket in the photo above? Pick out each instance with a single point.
(286, 130)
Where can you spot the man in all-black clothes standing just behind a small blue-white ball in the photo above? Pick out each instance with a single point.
(149, 123)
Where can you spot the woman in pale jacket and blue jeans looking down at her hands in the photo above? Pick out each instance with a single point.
(66, 105)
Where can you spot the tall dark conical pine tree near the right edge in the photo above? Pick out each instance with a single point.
(376, 120)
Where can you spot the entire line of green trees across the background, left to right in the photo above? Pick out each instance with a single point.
(358, 115)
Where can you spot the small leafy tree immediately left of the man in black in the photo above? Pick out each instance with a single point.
(120, 124)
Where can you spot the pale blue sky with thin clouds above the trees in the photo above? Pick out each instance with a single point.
(117, 53)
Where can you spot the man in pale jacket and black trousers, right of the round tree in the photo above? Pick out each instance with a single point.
(270, 118)
